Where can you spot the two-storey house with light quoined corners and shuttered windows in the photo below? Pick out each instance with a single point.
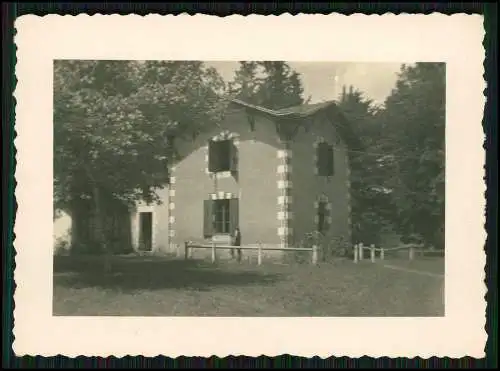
(277, 174)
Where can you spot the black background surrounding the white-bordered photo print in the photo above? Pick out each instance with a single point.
(10, 11)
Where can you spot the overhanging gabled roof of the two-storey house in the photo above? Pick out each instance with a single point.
(308, 110)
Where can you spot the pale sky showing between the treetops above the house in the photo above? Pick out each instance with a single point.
(323, 80)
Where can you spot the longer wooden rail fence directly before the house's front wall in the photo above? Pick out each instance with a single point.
(189, 246)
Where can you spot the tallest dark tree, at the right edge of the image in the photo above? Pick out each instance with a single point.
(414, 121)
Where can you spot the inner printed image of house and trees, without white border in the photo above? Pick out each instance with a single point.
(248, 188)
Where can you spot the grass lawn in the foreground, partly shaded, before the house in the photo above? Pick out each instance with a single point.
(160, 286)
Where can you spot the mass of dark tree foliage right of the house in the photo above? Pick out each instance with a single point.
(398, 178)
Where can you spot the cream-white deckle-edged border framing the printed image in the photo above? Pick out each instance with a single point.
(455, 39)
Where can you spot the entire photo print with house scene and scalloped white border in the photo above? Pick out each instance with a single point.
(196, 186)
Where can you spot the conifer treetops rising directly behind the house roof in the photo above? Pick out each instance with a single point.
(270, 84)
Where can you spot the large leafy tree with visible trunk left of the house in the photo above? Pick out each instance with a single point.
(113, 127)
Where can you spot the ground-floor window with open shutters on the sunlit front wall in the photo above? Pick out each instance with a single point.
(220, 216)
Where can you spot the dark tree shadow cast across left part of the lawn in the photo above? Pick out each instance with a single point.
(151, 273)
